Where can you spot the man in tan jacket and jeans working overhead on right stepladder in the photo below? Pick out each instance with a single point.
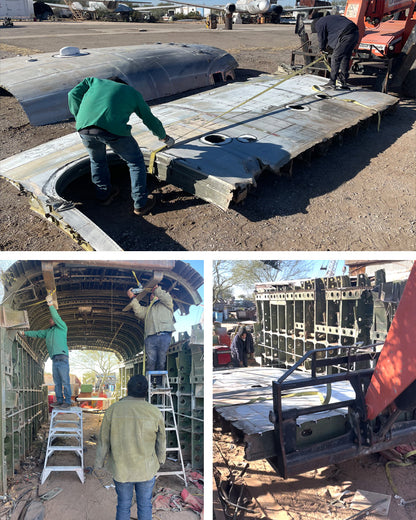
(158, 327)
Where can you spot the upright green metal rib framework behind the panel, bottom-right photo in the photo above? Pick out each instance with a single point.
(296, 317)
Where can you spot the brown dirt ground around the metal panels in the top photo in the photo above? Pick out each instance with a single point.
(357, 197)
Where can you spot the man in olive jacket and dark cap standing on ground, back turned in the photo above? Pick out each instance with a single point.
(133, 437)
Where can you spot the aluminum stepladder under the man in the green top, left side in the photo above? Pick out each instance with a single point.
(66, 424)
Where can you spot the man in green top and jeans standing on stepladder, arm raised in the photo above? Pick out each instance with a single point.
(56, 343)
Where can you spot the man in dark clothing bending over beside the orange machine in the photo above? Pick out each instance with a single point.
(339, 34)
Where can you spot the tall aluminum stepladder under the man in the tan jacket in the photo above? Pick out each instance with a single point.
(160, 395)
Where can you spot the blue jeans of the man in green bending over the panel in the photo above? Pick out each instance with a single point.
(125, 147)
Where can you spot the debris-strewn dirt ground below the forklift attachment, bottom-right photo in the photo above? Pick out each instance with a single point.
(315, 495)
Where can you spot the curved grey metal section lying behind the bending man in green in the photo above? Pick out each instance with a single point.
(41, 82)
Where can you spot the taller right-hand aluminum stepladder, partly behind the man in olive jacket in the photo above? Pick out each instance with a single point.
(164, 402)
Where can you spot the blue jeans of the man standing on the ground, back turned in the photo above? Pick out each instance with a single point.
(143, 499)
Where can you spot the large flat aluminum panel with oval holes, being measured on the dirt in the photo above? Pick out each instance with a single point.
(218, 173)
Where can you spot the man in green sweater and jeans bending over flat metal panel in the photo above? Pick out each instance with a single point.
(102, 108)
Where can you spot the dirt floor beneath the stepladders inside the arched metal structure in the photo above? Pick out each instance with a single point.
(89, 501)
